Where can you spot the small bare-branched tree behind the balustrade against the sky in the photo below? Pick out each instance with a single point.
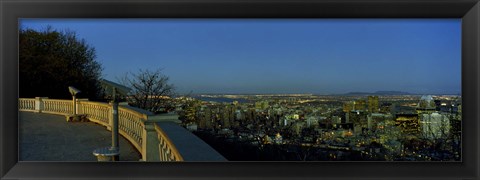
(150, 89)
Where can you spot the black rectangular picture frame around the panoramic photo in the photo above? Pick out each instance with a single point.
(467, 10)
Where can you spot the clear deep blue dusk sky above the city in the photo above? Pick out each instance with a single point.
(320, 56)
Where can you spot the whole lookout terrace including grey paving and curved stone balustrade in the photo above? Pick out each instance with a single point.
(46, 136)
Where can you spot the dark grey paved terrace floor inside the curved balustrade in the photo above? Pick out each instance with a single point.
(47, 137)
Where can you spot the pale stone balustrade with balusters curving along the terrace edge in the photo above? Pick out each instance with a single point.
(135, 126)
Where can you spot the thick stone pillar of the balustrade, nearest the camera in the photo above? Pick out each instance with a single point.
(150, 148)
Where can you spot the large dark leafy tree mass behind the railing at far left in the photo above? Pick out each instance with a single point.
(50, 61)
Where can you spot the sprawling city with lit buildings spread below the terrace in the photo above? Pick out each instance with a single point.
(400, 127)
